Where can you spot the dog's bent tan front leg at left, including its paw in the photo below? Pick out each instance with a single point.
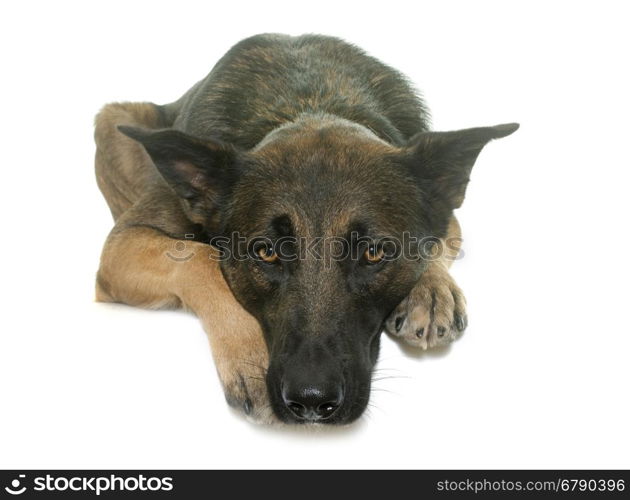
(144, 268)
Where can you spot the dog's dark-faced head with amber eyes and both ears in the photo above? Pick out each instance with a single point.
(322, 227)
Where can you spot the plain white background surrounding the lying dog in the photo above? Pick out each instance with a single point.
(539, 380)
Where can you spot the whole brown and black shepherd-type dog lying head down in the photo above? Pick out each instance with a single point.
(319, 160)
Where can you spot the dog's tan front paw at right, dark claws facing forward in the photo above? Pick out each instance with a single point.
(433, 314)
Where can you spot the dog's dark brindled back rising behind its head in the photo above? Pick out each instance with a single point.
(267, 80)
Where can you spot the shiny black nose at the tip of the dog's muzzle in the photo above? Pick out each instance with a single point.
(312, 402)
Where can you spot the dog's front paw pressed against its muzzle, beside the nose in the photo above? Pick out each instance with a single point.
(246, 391)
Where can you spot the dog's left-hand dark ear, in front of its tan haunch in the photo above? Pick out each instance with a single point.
(200, 172)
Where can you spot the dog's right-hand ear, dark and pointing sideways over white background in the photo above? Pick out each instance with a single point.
(442, 161)
